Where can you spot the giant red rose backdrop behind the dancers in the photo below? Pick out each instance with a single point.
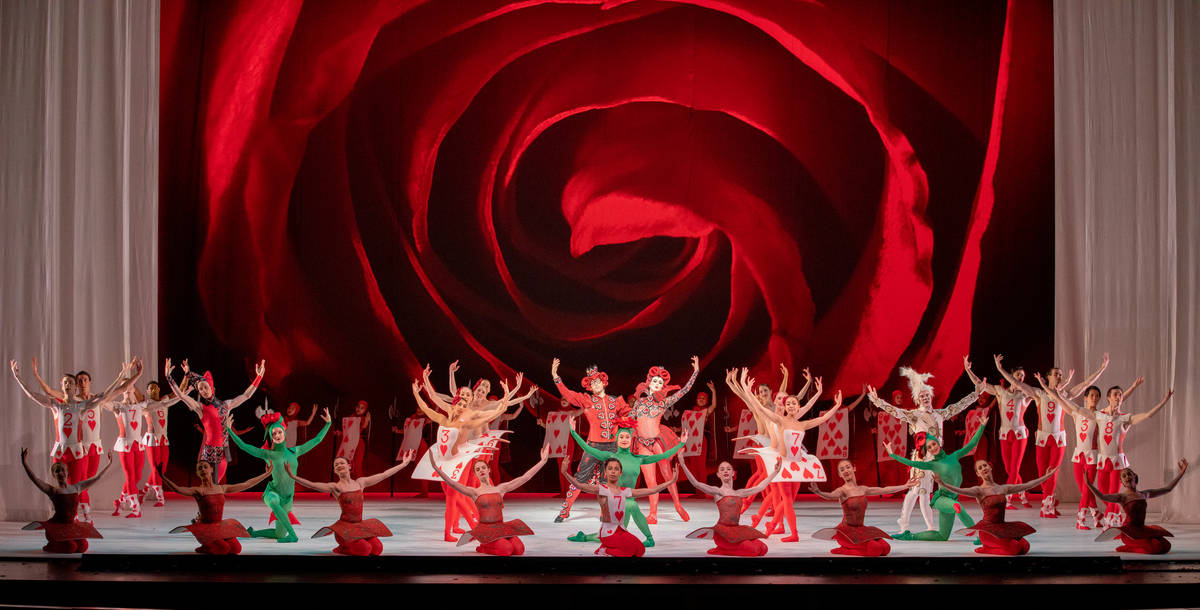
(352, 190)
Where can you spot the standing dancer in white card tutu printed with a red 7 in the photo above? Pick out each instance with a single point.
(800, 465)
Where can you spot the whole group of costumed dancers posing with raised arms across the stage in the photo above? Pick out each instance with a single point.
(625, 444)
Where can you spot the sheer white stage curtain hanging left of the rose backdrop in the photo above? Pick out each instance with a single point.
(79, 201)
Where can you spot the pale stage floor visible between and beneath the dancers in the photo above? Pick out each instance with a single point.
(417, 525)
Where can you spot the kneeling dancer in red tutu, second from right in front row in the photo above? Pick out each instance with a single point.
(997, 536)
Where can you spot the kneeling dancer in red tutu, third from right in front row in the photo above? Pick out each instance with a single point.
(851, 535)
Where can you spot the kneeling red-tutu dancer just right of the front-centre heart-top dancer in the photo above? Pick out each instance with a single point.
(731, 537)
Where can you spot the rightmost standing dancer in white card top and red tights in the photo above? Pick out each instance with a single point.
(1112, 426)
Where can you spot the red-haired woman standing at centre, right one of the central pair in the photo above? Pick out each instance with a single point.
(653, 439)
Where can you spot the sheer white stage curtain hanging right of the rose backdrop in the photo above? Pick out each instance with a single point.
(1127, 147)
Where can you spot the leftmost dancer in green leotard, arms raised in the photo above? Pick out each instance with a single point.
(281, 491)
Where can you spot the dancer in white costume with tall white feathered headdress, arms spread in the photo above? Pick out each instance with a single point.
(922, 420)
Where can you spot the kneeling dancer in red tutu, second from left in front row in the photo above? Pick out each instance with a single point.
(217, 536)
